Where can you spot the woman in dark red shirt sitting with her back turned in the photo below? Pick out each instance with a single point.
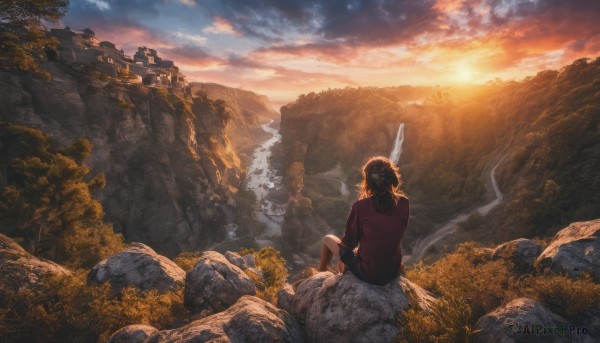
(370, 247)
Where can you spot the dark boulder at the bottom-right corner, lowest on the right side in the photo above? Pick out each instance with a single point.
(526, 320)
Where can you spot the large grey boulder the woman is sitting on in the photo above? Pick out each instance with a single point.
(342, 308)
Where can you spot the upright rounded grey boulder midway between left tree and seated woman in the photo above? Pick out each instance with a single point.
(214, 284)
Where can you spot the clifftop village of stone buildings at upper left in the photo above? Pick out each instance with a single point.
(80, 49)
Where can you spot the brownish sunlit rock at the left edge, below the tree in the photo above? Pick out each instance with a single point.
(22, 271)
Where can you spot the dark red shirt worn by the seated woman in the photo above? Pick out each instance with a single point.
(378, 237)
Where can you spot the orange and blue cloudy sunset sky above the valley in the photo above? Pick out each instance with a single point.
(285, 48)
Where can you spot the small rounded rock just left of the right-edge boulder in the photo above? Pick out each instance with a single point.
(522, 252)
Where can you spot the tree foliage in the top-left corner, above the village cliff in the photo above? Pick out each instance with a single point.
(23, 40)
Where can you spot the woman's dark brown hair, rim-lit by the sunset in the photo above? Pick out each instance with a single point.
(381, 180)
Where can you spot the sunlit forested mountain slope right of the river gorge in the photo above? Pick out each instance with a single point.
(546, 127)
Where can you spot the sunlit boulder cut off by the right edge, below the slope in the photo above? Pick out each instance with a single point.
(574, 250)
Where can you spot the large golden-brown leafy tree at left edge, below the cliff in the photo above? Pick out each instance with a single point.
(46, 198)
